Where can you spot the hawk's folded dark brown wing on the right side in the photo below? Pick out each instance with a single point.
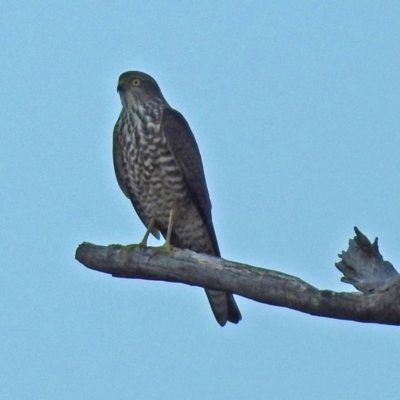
(183, 146)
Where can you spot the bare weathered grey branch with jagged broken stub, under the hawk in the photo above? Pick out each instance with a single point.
(362, 266)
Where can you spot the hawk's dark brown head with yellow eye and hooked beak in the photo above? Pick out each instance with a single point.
(136, 88)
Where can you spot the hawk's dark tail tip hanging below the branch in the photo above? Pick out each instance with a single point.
(223, 306)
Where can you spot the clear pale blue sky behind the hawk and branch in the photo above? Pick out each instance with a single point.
(295, 107)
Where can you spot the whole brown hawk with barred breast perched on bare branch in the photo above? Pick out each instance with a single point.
(158, 167)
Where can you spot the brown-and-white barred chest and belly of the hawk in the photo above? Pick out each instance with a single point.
(150, 171)
